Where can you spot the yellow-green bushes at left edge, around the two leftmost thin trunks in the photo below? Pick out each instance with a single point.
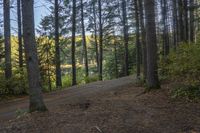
(18, 84)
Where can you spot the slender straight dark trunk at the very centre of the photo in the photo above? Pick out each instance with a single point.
(100, 42)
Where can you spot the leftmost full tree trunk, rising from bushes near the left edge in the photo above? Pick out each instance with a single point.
(8, 65)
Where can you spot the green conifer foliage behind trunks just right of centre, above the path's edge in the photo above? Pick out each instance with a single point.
(114, 57)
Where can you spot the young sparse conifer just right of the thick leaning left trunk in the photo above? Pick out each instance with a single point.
(46, 53)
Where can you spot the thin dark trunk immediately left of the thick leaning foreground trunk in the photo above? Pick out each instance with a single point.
(20, 34)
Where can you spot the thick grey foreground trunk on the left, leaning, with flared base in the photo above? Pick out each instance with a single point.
(36, 98)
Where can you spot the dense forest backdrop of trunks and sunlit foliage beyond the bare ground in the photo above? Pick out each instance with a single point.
(83, 41)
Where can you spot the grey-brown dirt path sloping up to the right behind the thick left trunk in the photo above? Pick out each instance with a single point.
(8, 109)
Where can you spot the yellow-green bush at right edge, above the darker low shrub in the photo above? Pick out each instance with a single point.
(183, 65)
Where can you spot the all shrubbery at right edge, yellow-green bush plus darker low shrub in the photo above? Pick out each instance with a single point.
(183, 66)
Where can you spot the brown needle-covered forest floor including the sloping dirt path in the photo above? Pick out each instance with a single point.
(116, 106)
